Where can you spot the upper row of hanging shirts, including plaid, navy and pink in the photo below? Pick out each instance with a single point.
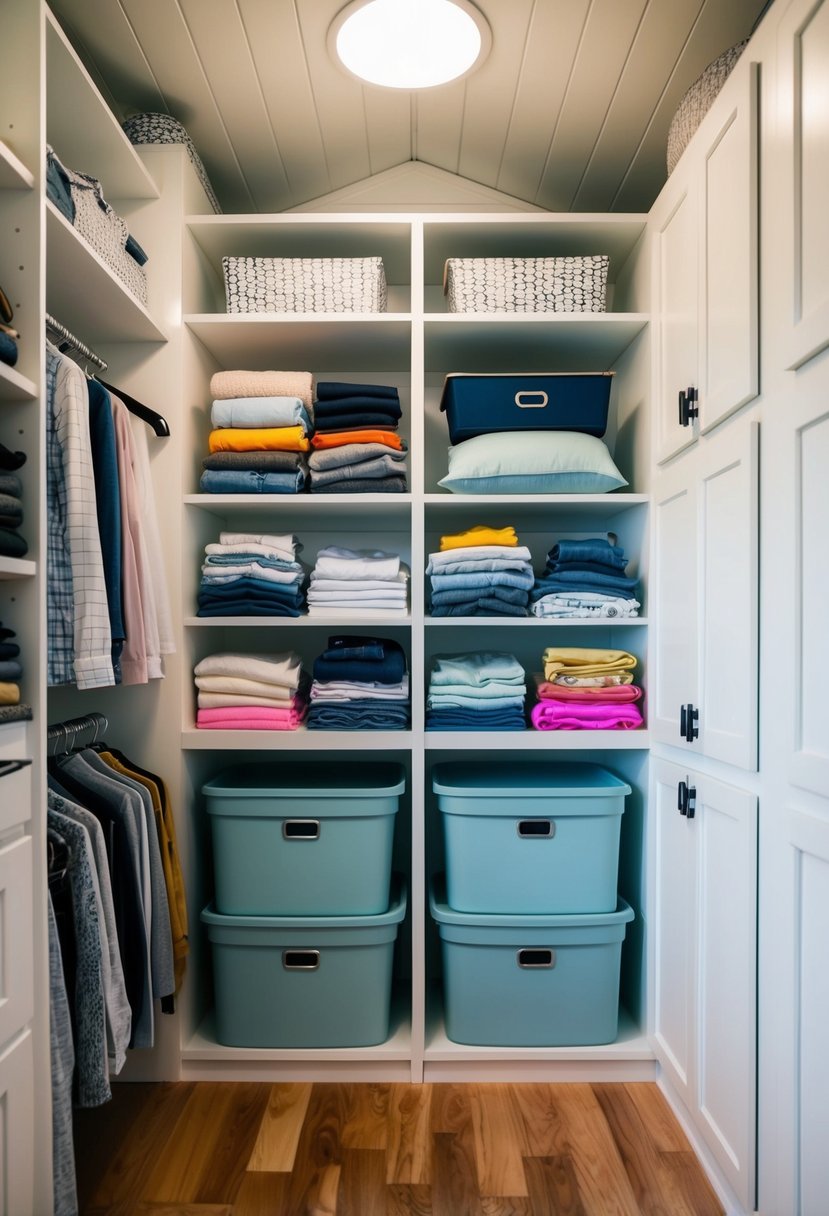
(109, 610)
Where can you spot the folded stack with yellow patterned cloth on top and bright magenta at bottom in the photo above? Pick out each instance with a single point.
(585, 689)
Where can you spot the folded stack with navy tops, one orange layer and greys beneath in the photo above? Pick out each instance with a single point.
(357, 447)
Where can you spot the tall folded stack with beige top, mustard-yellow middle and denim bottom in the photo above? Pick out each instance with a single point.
(261, 427)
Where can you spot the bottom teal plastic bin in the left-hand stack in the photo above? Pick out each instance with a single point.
(303, 982)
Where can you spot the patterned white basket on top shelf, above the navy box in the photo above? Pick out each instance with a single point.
(527, 285)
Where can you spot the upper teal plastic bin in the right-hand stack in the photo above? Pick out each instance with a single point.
(531, 838)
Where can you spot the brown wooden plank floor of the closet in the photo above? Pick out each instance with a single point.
(302, 1150)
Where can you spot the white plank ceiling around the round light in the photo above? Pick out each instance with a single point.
(571, 111)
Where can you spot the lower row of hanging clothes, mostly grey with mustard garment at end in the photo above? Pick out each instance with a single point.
(117, 909)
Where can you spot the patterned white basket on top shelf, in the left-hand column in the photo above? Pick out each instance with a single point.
(304, 285)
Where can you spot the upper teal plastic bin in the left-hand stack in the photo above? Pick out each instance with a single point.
(303, 840)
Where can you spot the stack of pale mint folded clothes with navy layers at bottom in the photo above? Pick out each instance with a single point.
(476, 693)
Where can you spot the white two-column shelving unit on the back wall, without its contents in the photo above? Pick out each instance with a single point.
(413, 346)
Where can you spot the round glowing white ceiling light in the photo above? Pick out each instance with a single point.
(409, 44)
